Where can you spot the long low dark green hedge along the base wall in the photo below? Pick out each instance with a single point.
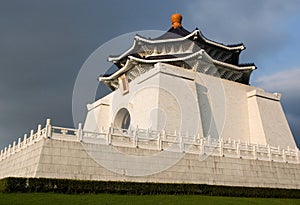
(68, 186)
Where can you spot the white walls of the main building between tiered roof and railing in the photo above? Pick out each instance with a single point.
(171, 98)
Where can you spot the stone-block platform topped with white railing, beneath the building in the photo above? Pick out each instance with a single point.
(119, 155)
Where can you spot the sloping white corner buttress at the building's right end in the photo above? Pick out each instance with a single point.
(268, 124)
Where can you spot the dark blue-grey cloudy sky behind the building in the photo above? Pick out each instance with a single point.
(43, 45)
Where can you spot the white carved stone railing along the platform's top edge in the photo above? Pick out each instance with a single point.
(149, 139)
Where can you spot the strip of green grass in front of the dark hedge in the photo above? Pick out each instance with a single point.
(63, 199)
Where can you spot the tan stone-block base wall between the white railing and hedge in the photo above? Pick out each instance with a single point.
(66, 159)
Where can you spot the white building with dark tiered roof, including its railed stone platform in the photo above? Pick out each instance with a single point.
(181, 110)
